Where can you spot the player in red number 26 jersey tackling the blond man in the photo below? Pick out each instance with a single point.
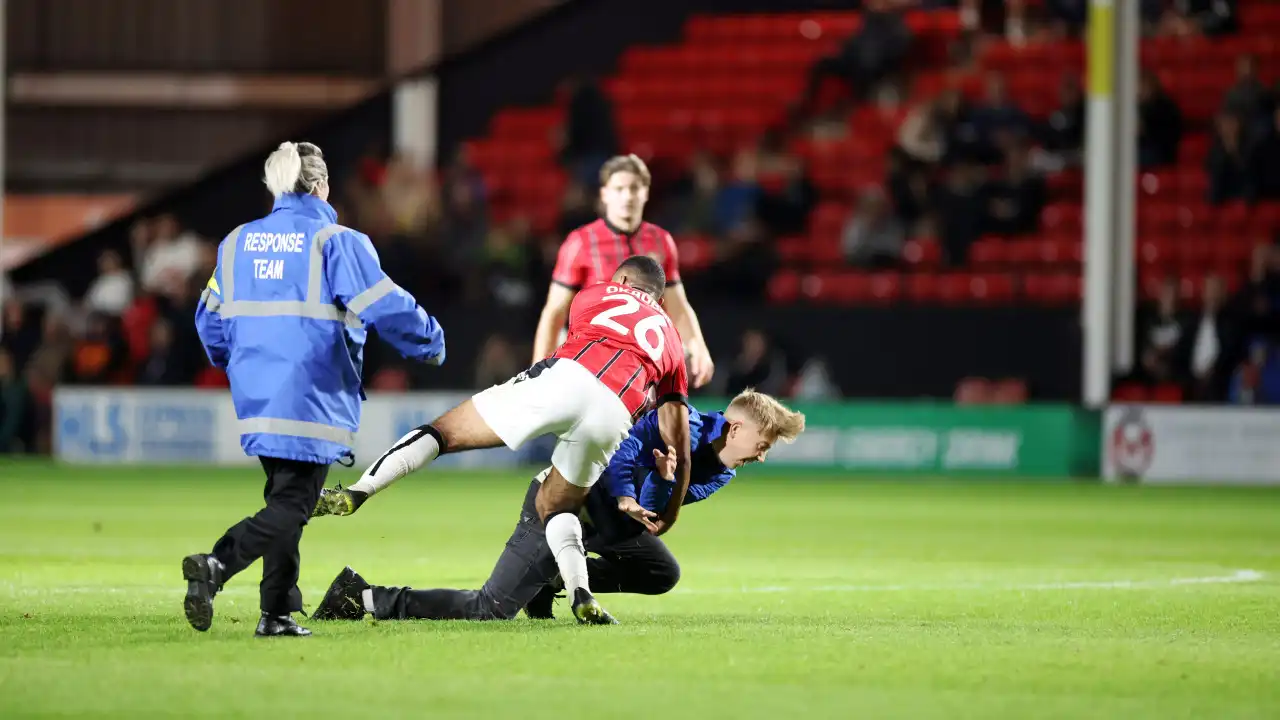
(621, 359)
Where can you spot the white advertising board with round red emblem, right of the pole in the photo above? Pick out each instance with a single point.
(1186, 445)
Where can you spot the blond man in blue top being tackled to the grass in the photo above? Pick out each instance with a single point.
(629, 559)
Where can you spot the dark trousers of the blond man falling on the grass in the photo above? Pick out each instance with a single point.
(630, 560)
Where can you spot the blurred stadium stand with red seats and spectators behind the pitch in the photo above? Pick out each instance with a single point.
(950, 181)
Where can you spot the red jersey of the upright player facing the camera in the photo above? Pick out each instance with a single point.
(592, 253)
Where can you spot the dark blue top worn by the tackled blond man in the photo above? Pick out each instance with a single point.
(633, 472)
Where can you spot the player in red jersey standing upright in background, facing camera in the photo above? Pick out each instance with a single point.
(591, 253)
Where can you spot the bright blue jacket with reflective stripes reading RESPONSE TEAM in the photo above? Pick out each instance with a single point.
(287, 315)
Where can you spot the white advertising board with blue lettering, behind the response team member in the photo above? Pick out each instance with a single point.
(132, 426)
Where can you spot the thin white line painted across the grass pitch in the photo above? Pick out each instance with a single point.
(248, 593)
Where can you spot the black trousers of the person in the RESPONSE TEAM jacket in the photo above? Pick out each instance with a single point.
(275, 534)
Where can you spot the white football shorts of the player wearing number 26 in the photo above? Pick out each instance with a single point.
(561, 399)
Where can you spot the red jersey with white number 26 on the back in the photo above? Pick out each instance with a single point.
(623, 335)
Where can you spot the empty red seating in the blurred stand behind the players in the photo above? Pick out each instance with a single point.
(733, 78)
